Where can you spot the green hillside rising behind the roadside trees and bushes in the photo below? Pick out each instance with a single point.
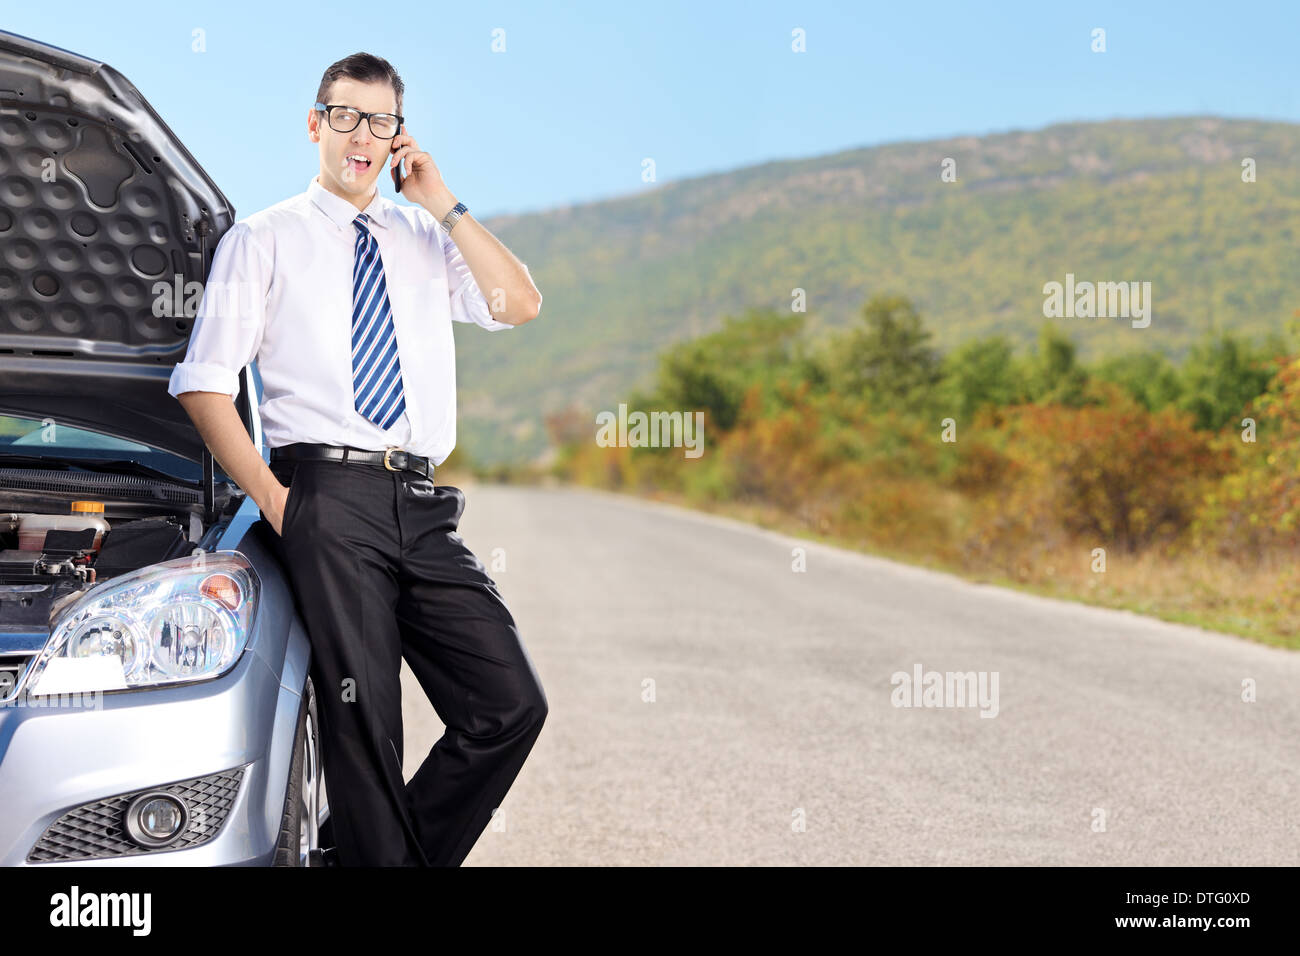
(1159, 201)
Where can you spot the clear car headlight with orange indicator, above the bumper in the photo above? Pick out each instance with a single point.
(179, 621)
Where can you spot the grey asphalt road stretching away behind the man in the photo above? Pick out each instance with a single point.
(773, 737)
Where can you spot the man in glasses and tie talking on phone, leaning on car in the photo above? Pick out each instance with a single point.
(346, 301)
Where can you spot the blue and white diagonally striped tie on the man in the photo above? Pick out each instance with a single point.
(376, 371)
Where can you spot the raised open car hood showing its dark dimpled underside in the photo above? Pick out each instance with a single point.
(99, 205)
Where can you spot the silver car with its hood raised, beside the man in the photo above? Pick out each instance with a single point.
(155, 700)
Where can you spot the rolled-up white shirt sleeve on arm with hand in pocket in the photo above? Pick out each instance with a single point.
(232, 318)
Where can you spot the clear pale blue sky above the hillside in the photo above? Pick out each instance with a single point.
(586, 92)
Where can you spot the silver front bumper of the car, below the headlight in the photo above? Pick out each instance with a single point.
(224, 745)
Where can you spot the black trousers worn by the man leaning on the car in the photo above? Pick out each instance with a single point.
(380, 574)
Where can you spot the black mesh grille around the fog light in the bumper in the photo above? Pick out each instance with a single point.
(98, 830)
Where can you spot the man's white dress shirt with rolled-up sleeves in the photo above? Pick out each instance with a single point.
(281, 292)
